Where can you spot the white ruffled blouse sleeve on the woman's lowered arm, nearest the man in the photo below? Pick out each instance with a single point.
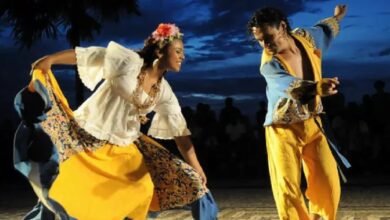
(168, 122)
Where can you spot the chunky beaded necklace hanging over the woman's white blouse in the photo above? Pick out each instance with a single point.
(150, 100)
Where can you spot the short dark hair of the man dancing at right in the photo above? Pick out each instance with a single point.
(267, 16)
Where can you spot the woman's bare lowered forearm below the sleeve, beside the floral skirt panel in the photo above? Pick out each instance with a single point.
(187, 150)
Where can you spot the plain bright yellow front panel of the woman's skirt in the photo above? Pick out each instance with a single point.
(109, 183)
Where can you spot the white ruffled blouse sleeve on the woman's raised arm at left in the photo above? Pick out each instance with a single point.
(90, 62)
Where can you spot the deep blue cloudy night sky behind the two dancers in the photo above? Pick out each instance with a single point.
(221, 59)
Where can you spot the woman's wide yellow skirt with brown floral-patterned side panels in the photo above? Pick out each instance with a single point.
(98, 180)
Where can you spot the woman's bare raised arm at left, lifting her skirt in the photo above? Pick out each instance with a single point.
(67, 57)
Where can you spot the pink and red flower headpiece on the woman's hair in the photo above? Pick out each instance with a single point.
(166, 33)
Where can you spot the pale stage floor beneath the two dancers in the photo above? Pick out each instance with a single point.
(357, 202)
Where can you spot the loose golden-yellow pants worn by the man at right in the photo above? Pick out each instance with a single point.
(291, 147)
